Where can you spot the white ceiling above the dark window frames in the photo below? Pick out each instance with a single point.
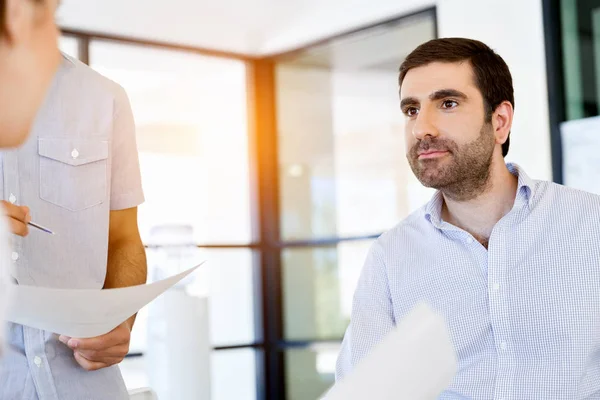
(245, 27)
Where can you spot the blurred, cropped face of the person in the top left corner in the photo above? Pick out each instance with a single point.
(29, 58)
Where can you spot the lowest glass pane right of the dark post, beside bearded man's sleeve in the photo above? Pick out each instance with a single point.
(310, 373)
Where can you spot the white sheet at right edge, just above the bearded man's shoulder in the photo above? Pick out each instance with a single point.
(581, 154)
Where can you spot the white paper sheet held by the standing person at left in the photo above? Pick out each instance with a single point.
(82, 313)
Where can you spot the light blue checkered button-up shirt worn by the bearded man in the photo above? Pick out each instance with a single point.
(524, 315)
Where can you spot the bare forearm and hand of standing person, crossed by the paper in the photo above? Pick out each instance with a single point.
(126, 267)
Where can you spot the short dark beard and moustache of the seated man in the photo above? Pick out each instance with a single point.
(463, 173)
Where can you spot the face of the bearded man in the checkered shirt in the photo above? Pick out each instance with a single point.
(449, 144)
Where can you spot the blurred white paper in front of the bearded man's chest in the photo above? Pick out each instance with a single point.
(416, 361)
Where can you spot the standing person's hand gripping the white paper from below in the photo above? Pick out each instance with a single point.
(102, 351)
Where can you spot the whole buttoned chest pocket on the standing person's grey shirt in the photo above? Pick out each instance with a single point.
(73, 172)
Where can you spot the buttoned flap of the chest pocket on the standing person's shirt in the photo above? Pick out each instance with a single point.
(73, 151)
